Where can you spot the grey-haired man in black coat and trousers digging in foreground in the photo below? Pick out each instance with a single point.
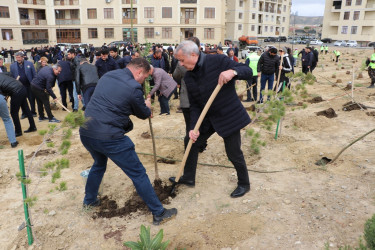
(226, 116)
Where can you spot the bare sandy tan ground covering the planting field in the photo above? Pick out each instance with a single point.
(304, 206)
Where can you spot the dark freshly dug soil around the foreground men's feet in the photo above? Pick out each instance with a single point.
(109, 208)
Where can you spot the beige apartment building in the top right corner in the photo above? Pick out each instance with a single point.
(349, 20)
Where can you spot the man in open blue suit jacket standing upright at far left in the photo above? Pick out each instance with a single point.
(26, 72)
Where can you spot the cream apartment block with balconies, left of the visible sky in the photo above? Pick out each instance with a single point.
(261, 18)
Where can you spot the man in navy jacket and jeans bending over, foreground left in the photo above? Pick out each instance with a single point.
(118, 95)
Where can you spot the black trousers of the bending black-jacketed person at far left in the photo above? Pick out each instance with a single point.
(17, 101)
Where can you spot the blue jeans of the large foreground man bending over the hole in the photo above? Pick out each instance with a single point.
(122, 153)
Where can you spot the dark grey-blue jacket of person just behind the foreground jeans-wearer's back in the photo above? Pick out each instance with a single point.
(86, 76)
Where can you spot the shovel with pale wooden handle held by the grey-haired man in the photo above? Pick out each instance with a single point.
(196, 128)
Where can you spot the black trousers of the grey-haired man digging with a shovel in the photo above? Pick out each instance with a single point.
(234, 153)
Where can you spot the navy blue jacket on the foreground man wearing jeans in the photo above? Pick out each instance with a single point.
(117, 96)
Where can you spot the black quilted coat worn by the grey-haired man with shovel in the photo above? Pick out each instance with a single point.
(226, 114)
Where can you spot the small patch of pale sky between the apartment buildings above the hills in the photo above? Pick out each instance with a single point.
(308, 7)
